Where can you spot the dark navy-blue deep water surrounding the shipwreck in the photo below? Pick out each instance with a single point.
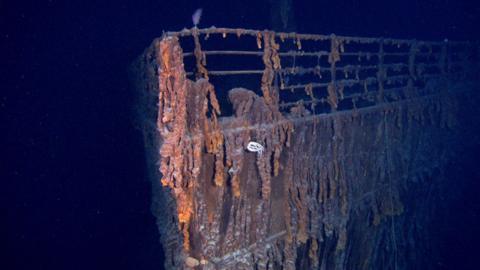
(73, 188)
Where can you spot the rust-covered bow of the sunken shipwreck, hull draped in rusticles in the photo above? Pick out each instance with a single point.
(326, 191)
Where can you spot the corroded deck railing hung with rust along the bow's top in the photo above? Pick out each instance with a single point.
(321, 73)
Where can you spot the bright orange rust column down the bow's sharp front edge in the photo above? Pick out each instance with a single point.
(171, 123)
